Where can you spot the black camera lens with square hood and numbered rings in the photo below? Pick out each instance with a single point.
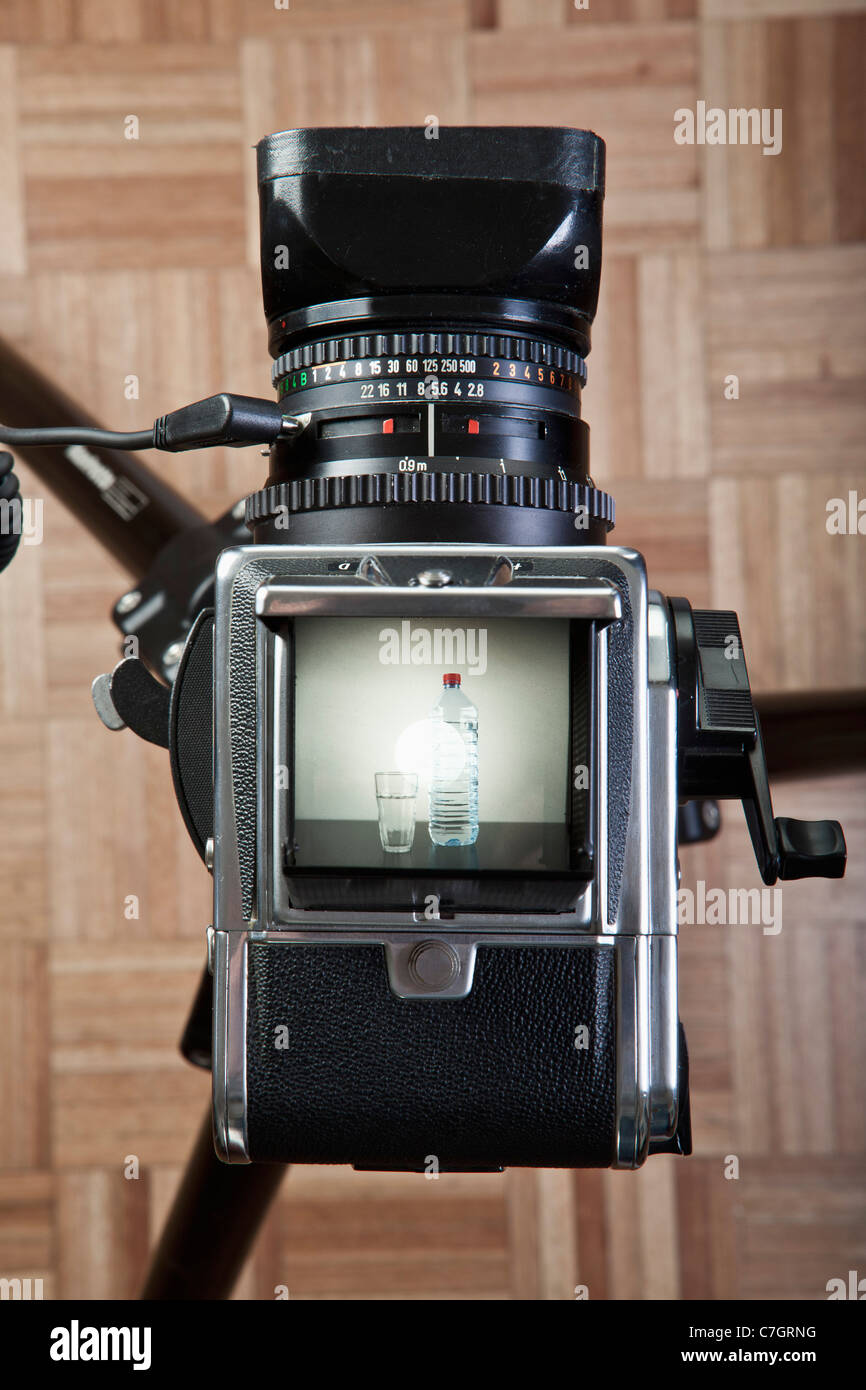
(443, 373)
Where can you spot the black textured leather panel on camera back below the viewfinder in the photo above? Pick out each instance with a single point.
(486, 1082)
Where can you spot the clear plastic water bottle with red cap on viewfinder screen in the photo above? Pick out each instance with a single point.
(454, 789)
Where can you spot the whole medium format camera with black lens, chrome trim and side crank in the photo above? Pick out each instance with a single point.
(451, 726)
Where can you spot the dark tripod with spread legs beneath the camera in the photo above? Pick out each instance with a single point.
(170, 550)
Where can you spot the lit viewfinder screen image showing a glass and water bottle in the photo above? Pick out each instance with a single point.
(427, 747)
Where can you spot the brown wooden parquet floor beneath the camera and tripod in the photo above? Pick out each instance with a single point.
(126, 258)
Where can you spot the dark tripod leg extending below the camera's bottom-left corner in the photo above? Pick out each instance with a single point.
(212, 1227)
